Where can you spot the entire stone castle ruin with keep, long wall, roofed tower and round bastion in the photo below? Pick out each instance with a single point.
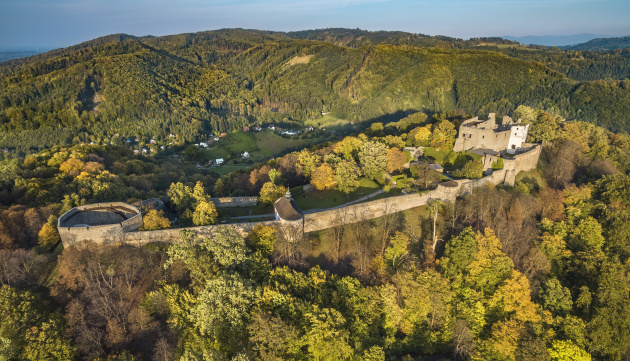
(118, 222)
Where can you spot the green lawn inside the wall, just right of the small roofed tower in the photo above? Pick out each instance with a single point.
(331, 197)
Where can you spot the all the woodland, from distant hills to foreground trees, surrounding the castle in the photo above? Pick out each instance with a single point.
(535, 271)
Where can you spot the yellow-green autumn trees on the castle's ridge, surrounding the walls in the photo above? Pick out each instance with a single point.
(538, 271)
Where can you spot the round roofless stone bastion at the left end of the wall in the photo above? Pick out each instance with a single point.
(99, 223)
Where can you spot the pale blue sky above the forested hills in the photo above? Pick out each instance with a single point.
(59, 23)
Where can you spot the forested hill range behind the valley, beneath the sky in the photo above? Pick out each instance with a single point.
(217, 81)
